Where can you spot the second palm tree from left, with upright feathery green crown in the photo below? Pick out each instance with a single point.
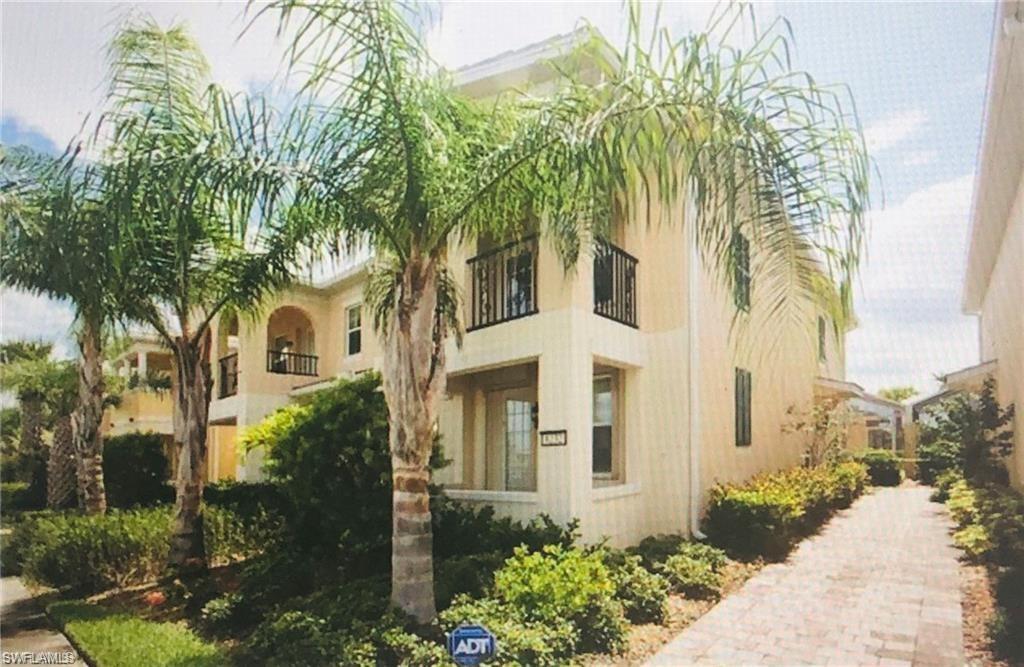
(184, 193)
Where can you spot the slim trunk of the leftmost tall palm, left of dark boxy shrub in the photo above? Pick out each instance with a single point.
(88, 419)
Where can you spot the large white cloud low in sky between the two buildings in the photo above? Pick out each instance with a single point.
(909, 303)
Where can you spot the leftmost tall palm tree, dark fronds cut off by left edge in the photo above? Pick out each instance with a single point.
(56, 242)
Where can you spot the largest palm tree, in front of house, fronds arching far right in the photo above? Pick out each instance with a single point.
(385, 150)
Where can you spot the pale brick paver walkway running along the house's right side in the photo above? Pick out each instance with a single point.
(879, 586)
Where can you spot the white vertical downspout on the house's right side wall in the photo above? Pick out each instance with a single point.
(693, 377)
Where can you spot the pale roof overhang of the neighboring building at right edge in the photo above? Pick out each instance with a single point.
(1001, 153)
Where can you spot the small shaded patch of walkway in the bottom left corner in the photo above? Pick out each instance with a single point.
(25, 630)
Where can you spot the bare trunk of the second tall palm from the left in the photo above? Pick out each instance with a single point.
(192, 407)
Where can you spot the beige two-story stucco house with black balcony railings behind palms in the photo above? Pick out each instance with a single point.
(617, 394)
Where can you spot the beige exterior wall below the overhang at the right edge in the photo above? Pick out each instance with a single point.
(1002, 326)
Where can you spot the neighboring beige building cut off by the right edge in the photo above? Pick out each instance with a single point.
(994, 285)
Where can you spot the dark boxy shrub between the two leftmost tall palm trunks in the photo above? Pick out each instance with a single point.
(137, 471)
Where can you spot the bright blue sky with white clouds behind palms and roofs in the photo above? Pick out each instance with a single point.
(918, 72)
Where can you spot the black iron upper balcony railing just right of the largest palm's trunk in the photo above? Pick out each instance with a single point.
(504, 284)
